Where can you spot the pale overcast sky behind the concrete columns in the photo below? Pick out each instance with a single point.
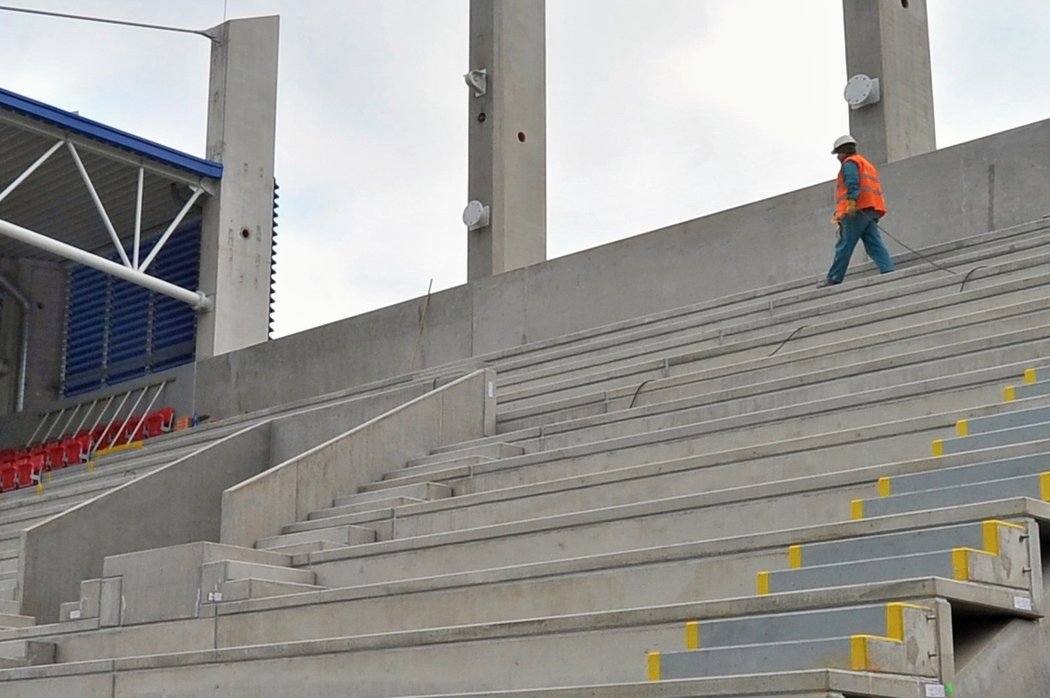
(659, 112)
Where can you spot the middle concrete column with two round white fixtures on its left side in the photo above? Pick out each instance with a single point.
(509, 136)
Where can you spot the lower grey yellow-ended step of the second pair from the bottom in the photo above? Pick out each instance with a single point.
(960, 564)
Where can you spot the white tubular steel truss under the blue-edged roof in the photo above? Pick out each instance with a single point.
(131, 270)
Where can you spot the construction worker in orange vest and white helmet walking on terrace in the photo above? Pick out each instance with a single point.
(858, 207)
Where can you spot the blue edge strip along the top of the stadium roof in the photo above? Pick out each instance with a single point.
(109, 135)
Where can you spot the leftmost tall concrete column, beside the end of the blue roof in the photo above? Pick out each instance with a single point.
(236, 245)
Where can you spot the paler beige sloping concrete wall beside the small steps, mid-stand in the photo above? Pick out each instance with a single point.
(286, 494)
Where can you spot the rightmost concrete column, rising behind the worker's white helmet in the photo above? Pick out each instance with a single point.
(890, 40)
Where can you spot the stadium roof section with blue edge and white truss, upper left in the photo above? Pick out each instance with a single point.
(77, 189)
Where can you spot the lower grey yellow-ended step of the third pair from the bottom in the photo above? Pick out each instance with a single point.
(1035, 487)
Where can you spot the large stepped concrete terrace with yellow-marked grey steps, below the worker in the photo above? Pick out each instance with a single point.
(741, 496)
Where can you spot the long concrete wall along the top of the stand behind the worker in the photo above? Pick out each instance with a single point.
(972, 188)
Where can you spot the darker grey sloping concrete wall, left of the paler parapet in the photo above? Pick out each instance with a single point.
(178, 504)
